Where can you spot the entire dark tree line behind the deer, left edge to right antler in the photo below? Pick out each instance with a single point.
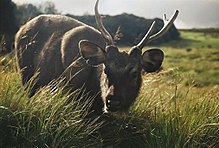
(128, 29)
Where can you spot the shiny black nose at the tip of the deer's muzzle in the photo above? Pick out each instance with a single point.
(113, 105)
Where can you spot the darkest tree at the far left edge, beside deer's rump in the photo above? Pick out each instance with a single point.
(8, 25)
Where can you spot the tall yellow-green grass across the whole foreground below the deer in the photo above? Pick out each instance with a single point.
(166, 114)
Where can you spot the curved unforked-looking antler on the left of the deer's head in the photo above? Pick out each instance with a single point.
(101, 27)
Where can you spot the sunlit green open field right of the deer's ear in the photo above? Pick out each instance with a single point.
(197, 56)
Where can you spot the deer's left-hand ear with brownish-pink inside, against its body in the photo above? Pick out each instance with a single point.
(92, 53)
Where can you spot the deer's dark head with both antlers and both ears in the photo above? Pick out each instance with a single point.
(121, 73)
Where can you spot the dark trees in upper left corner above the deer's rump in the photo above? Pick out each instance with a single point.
(12, 16)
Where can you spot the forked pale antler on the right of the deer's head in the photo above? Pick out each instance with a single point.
(167, 23)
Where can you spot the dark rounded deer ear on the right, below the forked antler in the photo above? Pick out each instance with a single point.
(152, 59)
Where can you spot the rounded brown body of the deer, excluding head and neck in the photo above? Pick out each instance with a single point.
(49, 44)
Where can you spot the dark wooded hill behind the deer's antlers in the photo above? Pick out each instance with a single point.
(132, 28)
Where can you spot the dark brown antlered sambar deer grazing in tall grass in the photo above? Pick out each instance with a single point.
(56, 45)
